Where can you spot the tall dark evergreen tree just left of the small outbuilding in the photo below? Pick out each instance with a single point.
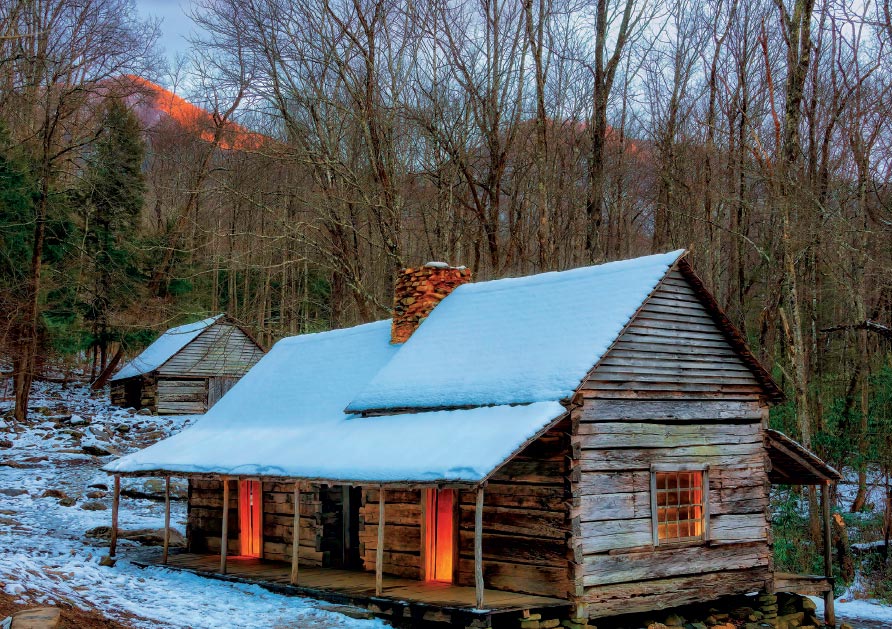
(114, 189)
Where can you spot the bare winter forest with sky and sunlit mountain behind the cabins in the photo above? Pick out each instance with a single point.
(340, 140)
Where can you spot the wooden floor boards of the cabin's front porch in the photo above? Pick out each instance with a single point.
(356, 585)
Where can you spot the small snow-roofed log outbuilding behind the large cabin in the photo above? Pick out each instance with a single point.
(186, 369)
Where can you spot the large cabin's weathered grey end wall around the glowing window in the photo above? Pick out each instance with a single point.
(670, 391)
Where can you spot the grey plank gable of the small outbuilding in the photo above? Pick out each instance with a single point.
(221, 350)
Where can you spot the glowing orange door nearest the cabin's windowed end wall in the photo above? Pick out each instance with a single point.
(439, 534)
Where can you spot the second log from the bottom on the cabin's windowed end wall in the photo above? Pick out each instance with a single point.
(666, 562)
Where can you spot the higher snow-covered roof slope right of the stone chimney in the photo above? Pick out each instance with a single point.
(515, 341)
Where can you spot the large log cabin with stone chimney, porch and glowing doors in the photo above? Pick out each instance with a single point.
(578, 444)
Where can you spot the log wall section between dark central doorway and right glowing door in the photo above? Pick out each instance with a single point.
(402, 531)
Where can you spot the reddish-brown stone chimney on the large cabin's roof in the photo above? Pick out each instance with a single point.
(418, 291)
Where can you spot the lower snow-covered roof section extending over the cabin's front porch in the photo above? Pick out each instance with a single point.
(285, 418)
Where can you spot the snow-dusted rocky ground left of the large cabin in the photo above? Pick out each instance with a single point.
(45, 558)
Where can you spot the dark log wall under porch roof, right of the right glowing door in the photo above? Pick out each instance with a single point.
(526, 523)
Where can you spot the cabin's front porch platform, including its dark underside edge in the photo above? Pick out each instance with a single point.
(401, 598)
